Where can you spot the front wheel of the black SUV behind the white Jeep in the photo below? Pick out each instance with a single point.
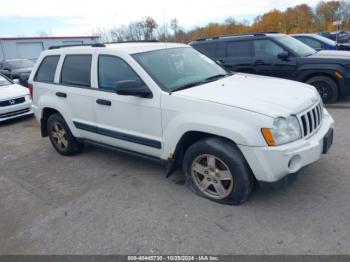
(327, 88)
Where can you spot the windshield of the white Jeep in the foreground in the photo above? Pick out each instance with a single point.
(179, 68)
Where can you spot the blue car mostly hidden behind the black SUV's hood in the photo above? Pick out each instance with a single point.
(318, 42)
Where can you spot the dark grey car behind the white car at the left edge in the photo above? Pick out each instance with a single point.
(17, 69)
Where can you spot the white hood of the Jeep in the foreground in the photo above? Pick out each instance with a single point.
(265, 95)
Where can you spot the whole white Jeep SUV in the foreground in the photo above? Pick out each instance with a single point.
(171, 103)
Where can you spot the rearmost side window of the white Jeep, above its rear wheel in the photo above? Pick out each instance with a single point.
(47, 69)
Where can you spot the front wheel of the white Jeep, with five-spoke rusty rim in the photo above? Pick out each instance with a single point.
(216, 169)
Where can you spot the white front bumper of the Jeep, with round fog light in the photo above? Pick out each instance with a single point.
(271, 164)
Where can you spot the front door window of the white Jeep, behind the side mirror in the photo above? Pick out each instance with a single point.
(111, 70)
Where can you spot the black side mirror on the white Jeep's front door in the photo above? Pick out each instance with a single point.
(133, 88)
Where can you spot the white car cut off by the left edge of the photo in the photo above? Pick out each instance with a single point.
(15, 100)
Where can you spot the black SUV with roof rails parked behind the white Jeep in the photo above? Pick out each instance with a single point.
(280, 55)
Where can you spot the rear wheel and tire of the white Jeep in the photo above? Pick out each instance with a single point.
(61, 137)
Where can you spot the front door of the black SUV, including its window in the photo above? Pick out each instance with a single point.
(267, 62)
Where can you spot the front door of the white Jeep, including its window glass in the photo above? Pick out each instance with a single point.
(128, 122)
